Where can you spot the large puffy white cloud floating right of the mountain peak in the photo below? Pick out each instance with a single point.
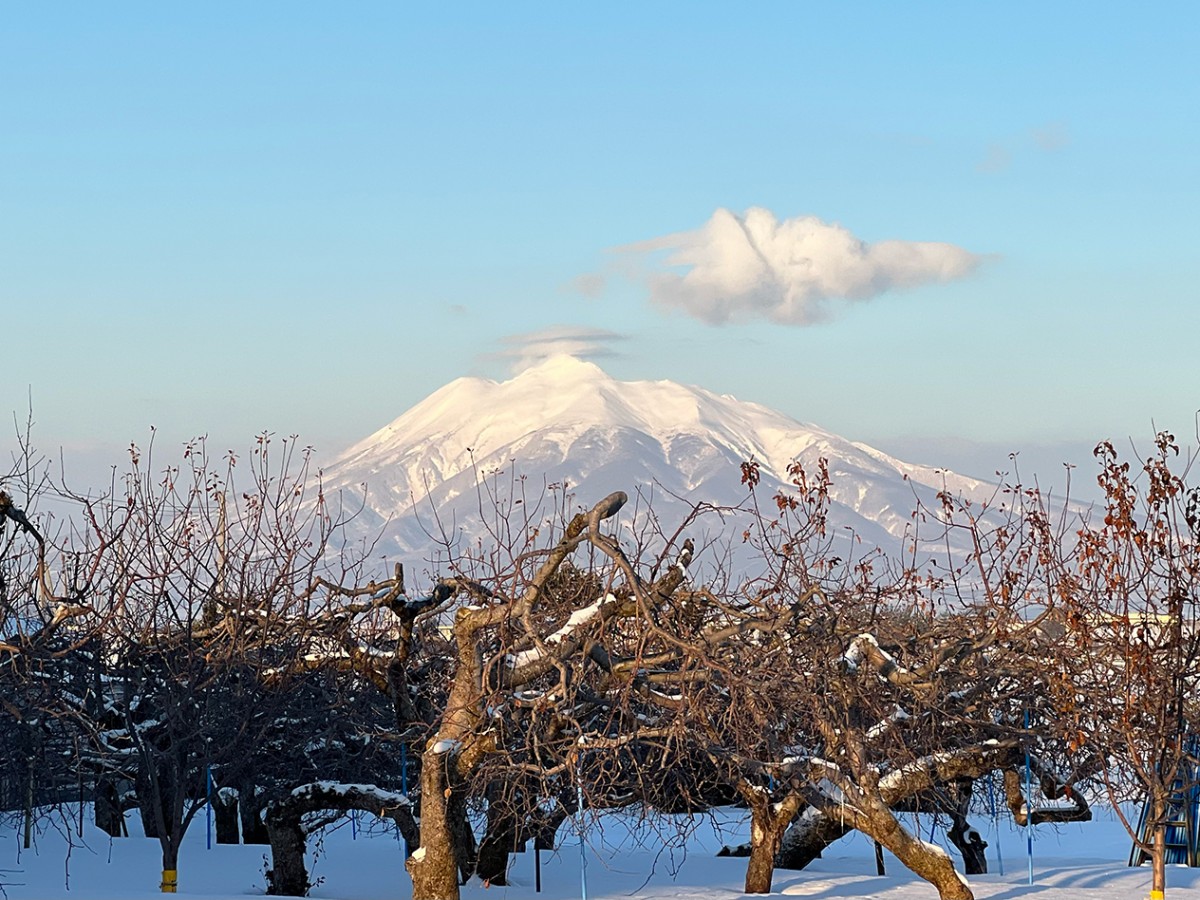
(739, 268)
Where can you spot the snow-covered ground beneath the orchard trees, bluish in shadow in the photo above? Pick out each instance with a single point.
(1077, 862)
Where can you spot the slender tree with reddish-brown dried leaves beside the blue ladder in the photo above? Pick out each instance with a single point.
(1129, 590)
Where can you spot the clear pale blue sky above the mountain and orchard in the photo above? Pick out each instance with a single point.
(231, 218)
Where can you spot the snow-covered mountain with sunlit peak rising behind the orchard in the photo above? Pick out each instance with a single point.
(566, 434)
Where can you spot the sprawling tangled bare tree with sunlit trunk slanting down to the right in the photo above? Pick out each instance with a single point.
(868, 688)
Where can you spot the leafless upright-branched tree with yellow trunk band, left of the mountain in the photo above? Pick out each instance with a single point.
(197, 596)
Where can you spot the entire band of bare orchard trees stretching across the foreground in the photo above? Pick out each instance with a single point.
(206, 633)
